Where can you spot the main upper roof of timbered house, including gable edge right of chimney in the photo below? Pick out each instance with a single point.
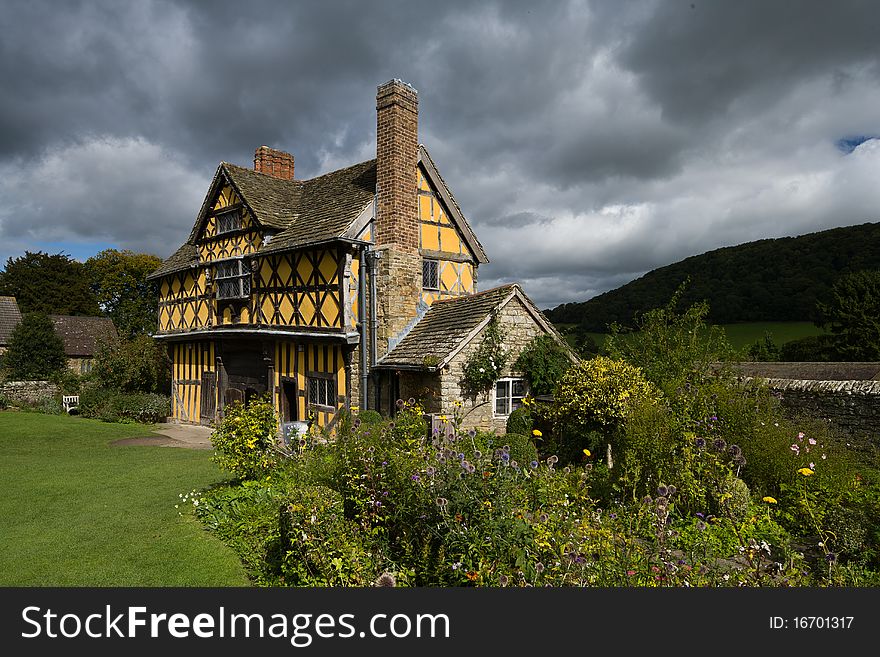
(299, 213)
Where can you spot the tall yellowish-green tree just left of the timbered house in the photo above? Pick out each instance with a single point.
(119, 281)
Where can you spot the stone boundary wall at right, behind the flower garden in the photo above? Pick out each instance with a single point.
(851, 406)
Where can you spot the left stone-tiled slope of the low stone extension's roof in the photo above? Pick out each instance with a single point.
(443, 328)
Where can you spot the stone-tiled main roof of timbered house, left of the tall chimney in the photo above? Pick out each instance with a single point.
(301, 211)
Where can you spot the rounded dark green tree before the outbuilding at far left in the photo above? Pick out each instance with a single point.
(35, 351)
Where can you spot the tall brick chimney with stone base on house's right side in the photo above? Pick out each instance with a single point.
(399, 265)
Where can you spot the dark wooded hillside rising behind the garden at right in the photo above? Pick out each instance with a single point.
(768, 280)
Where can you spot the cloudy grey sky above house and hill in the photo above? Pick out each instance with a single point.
(586, 142)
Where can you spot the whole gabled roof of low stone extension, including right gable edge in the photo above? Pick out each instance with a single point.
(450, 324)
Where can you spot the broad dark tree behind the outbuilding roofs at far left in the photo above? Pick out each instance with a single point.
(50, 284)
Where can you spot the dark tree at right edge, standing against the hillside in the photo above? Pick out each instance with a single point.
(852, 313)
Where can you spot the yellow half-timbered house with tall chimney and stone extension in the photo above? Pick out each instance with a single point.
(303, 289)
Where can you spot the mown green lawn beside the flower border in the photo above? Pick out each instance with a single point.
(77, 511)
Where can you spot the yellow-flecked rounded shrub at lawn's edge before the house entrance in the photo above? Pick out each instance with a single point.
(245, 440)
